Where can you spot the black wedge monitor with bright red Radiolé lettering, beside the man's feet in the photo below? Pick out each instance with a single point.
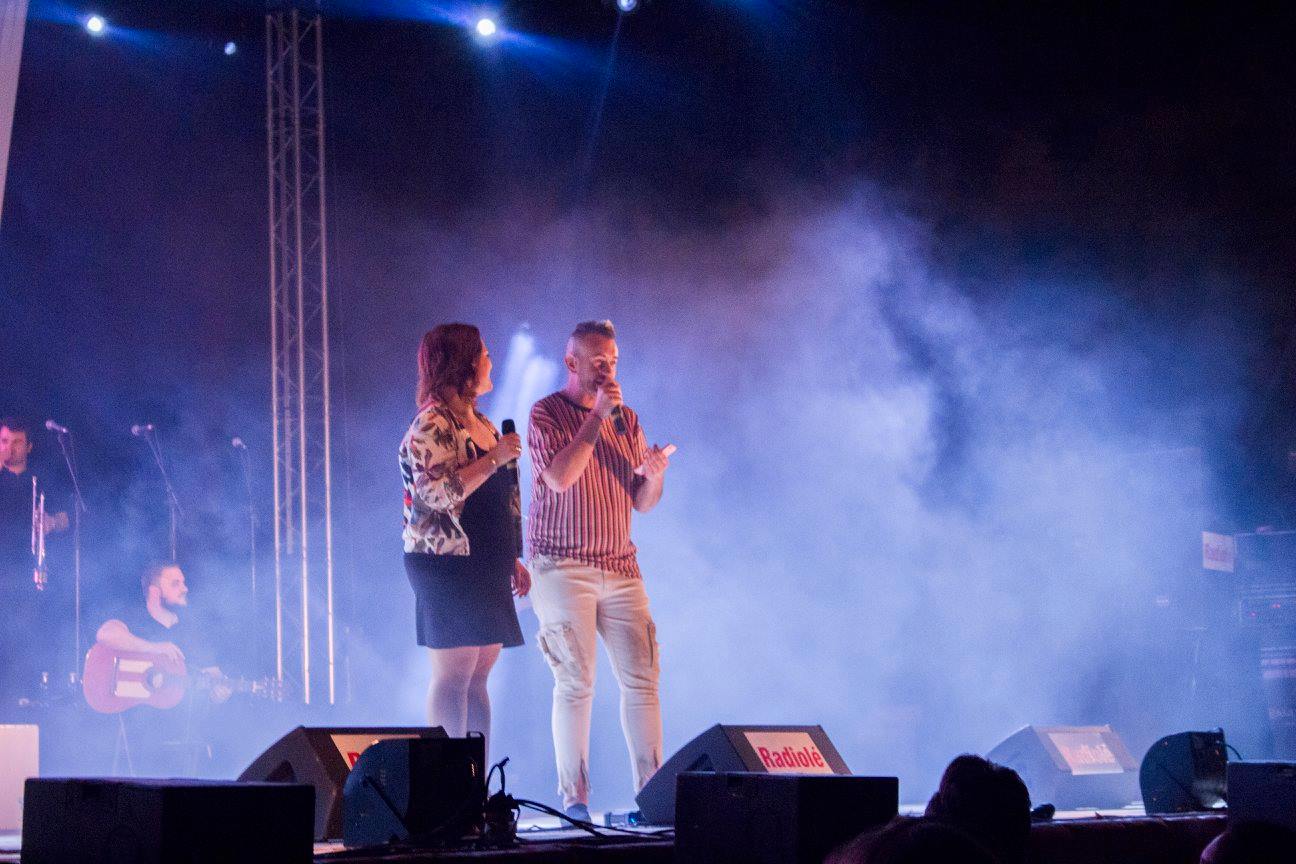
(765, 749)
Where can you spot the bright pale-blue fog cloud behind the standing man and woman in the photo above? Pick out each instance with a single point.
(918, 517)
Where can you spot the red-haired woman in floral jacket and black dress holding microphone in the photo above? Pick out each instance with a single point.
(461, 528)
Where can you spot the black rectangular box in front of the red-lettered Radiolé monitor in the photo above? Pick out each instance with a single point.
(776, 819)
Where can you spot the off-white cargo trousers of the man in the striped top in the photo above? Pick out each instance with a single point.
(576, 603)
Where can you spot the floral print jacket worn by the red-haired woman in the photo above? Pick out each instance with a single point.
(432, 453)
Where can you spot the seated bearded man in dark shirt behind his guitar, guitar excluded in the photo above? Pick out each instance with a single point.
(168, 742)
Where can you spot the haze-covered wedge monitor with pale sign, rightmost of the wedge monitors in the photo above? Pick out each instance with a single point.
(1071, 767)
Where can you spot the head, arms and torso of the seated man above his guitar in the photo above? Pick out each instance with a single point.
(159, 628)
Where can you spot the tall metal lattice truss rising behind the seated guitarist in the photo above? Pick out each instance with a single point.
(300, 349)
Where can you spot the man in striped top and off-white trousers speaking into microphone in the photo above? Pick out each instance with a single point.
(592, 464)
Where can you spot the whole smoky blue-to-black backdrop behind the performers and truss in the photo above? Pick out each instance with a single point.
(1085, 213)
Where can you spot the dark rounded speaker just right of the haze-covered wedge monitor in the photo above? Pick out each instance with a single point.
(1185, 773)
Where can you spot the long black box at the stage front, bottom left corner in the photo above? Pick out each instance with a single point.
(164, 822)
